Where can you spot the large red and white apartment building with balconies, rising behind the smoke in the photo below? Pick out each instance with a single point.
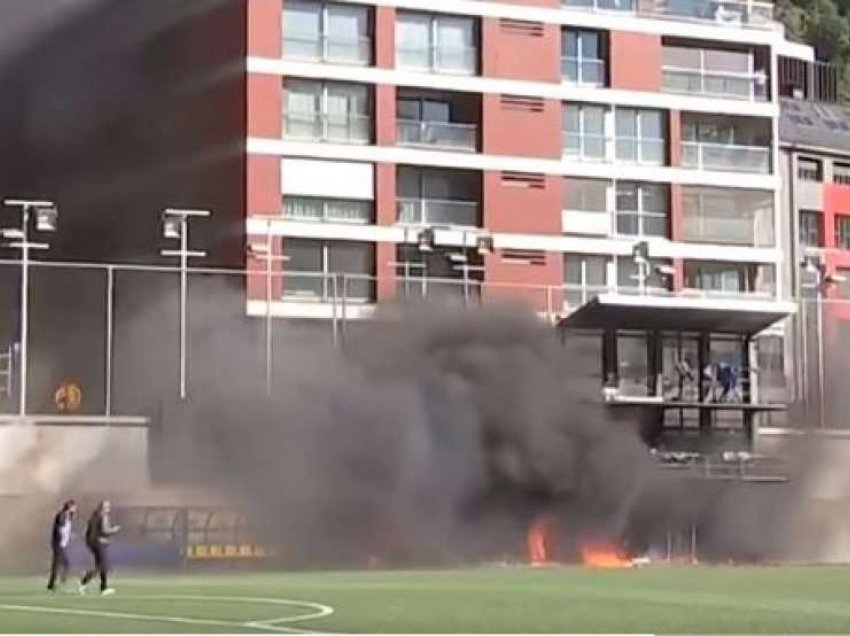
(562, 152)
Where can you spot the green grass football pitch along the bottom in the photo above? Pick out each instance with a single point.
(650, 600)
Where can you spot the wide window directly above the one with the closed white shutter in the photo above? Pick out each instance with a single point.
(327, 111)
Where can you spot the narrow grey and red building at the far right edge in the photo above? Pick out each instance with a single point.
(815, 164)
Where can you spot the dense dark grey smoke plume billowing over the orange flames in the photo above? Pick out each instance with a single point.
(435, 434)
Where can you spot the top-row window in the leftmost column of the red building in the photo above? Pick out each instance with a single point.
(329, 32)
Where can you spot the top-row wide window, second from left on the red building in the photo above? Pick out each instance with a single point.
(436, 43)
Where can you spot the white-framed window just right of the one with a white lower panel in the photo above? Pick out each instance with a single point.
(643, 209)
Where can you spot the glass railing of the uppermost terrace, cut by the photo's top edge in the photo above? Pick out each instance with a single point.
(750, 13)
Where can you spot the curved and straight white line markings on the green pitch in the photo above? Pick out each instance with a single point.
(273, 624)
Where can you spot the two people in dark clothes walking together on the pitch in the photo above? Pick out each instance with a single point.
(99, 530)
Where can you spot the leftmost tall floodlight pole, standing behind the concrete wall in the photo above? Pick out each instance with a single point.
(46, 217)
